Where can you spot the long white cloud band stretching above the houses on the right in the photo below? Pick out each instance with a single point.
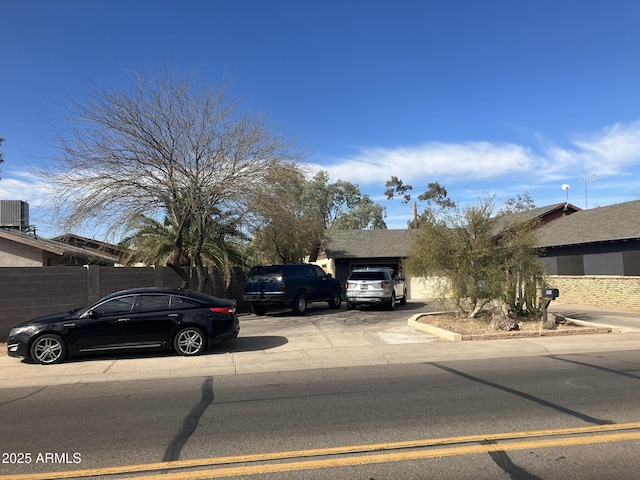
(609, 152)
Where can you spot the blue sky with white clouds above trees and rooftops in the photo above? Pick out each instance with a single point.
(498, 97)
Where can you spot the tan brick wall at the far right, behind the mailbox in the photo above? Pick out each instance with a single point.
(604, 291)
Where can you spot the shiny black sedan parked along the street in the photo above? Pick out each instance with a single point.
(139, 319)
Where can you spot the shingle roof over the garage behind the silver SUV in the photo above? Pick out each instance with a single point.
(368, 243)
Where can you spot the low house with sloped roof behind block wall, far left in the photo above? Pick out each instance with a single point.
(19, 249)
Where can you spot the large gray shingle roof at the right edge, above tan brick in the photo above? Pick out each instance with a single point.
(602, 224)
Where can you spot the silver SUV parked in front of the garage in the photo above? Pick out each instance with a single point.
(369, 286)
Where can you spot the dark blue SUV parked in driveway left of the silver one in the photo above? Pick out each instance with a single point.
(290, 286)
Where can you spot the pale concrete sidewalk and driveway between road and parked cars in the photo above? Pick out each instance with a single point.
(307, 343)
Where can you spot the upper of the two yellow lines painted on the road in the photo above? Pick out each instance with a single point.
(354, 449)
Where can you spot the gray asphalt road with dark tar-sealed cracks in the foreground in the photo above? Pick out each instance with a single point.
(187, 419)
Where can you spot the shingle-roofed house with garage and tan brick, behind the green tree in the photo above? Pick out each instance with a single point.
(591, 256)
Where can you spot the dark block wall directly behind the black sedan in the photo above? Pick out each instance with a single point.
(27, 293)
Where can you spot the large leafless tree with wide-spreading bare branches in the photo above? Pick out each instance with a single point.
(167, 145)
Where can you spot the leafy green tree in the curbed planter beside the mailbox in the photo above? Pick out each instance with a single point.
(480, 258)
